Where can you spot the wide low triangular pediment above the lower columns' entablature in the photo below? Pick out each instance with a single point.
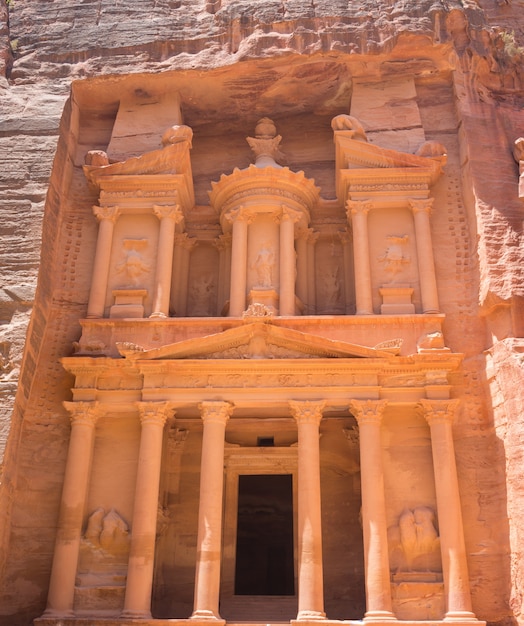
(257, 340)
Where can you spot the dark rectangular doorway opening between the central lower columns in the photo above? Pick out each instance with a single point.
(264, 550)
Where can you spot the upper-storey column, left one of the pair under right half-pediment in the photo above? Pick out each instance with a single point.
(358, 211)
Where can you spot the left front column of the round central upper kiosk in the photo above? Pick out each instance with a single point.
(240, 219)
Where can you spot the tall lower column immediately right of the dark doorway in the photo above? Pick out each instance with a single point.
(310, 581)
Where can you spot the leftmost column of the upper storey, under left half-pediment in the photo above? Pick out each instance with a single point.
(107, 217)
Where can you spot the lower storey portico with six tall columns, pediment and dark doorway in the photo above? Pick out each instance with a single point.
(331, 475)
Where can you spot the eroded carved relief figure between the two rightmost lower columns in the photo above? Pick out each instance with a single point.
(414, 544)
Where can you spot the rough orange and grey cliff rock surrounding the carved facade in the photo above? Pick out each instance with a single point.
(76, 77)
